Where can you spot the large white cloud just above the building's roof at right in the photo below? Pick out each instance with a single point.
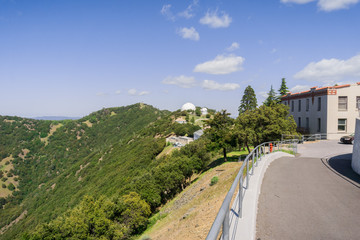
(328, 70)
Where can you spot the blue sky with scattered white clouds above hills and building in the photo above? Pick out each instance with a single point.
(70, 58)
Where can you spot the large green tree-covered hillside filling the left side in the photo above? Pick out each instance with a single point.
(108, 156)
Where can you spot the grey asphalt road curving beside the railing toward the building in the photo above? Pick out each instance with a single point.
(313, 196)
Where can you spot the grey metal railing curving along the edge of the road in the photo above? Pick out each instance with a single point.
(223, 216)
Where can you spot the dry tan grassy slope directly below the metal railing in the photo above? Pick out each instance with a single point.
(191, 214)
